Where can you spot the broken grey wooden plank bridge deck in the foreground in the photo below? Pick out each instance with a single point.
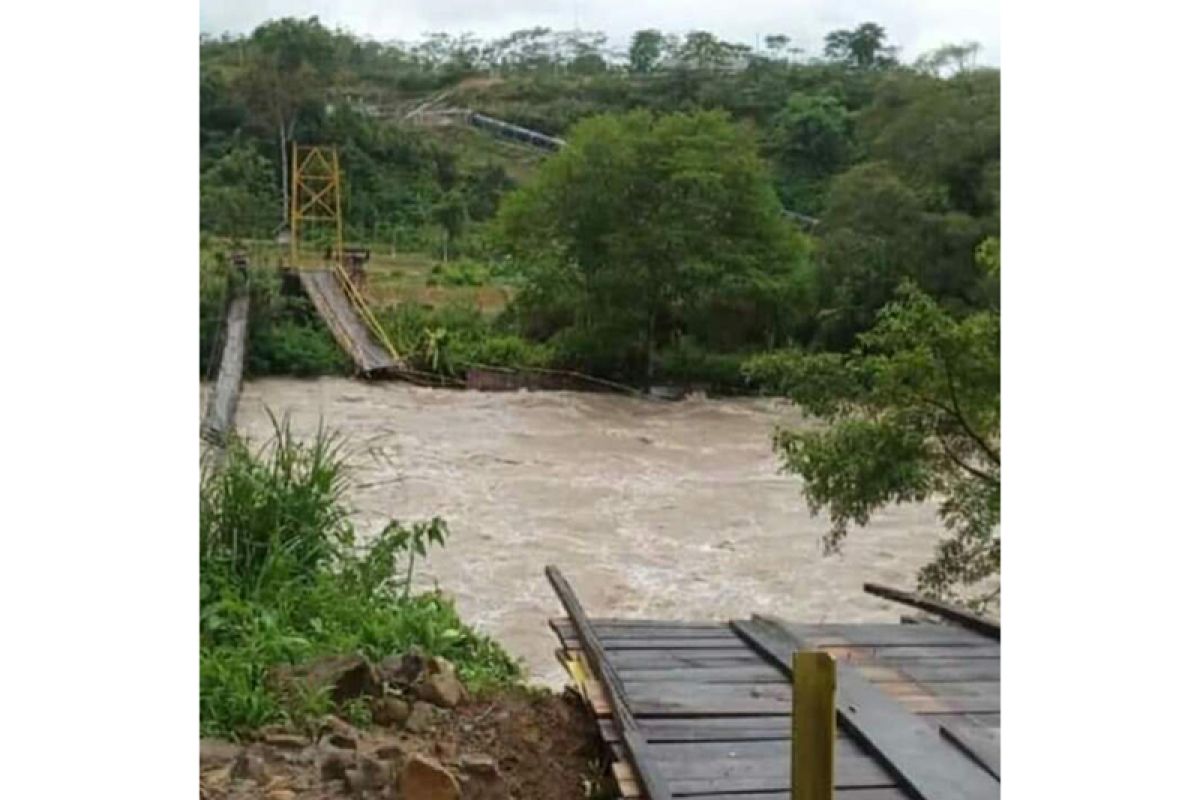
(716, 713)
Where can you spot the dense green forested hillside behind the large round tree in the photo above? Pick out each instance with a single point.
(901, 164)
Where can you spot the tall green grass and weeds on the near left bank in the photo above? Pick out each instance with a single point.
(284, 581)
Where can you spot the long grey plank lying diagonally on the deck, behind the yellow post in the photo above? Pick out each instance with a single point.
(919, 757)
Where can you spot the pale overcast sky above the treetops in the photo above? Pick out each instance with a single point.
(916, 26)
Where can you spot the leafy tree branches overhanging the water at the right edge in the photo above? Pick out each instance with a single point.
(913, 414)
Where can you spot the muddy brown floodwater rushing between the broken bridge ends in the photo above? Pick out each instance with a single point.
(651, 509)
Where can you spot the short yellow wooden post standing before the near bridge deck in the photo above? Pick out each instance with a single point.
(814, 725)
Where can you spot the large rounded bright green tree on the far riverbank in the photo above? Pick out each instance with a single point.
(649, 228)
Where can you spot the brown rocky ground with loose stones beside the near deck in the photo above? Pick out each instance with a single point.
(429, 742)
